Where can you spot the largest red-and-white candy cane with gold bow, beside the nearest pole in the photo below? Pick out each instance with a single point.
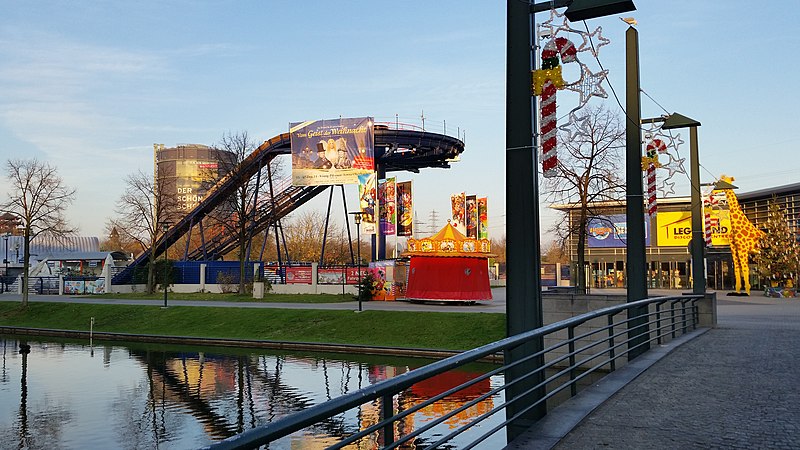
(546, 82)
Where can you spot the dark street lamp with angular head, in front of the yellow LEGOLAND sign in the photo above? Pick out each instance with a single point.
(697, 244)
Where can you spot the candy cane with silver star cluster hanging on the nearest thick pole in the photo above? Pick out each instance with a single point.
(548, 79)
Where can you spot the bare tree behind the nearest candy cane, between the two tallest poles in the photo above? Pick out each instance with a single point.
(589, 168)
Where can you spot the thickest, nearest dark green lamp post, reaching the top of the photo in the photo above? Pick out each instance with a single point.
(523, 282)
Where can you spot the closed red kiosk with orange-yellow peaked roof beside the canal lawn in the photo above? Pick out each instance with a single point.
(448, 267)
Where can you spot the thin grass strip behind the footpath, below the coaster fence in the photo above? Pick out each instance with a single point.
(268, 298)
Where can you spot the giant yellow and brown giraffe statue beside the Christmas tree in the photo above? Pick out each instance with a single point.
(745, 239)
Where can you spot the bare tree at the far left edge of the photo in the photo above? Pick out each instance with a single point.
(38, 197)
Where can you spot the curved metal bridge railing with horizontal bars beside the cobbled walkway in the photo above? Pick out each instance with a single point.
(583, 346)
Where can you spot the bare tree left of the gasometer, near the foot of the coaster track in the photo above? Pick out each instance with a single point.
(141, 211)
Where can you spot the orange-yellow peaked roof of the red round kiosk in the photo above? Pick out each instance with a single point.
(449, 242)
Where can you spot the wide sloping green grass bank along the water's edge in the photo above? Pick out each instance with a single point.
(406, 329)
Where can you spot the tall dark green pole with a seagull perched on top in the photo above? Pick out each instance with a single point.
(636, 256)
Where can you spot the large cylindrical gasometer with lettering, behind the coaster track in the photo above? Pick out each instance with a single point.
(188, 170)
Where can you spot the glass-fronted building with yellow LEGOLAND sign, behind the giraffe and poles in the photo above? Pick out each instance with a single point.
(667, 237)
